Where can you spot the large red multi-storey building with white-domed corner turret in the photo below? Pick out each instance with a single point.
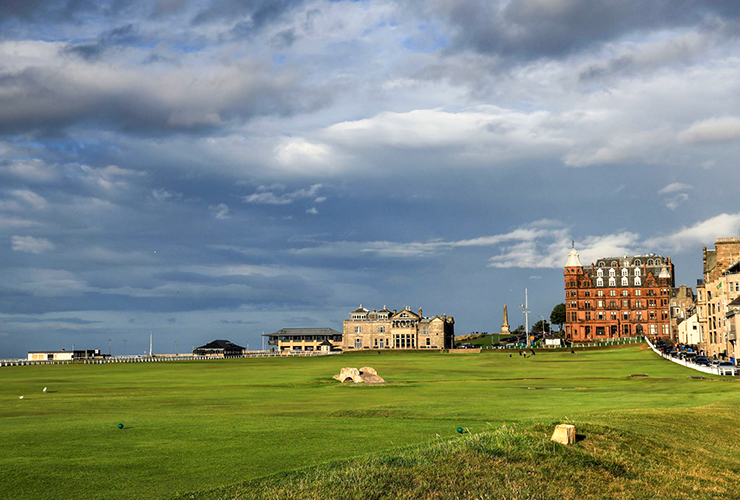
(617, 297)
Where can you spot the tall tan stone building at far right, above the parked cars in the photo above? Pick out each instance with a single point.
(714, 293)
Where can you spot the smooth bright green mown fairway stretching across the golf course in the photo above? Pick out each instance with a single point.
(192, 427)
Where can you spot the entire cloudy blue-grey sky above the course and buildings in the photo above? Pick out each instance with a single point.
(219, 169)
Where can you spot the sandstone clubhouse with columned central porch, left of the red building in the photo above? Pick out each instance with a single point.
(404, 329)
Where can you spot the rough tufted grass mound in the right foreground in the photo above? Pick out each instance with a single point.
(515, 462)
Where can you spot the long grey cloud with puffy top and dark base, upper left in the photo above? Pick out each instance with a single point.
(47, 99)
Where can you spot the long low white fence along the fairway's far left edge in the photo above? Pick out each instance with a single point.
(161, 359)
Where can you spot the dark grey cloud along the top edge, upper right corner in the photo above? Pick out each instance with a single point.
(530, 29)
